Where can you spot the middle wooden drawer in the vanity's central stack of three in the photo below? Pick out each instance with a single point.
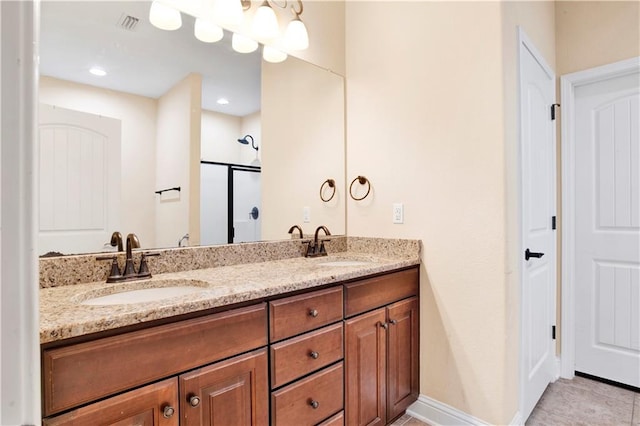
(301, 355)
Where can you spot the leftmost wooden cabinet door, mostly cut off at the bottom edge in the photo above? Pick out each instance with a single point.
(152, 405)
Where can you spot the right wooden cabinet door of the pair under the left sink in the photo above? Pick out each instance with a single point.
(231, 392)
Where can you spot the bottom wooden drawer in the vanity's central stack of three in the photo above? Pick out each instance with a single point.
(311, 400)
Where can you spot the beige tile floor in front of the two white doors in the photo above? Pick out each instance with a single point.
(582, 401)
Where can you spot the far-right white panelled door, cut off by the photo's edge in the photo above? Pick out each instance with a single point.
(607, 229)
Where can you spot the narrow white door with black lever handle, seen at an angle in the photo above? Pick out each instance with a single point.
(537, 94)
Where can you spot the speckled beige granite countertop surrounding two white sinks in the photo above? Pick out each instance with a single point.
(62, 314)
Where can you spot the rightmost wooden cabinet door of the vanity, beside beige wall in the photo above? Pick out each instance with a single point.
(403, 353)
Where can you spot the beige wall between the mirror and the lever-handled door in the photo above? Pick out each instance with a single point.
(426, 123)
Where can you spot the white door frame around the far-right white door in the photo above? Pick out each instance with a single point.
(568, 85)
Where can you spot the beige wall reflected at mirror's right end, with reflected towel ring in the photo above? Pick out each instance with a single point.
(303, 145)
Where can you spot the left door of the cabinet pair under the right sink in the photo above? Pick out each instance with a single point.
(365, 360)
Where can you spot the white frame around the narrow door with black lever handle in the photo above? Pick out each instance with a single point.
(525, 43)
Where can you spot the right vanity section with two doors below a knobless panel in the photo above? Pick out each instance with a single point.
(381, 347)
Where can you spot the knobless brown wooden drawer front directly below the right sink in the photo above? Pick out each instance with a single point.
(371, 293)
